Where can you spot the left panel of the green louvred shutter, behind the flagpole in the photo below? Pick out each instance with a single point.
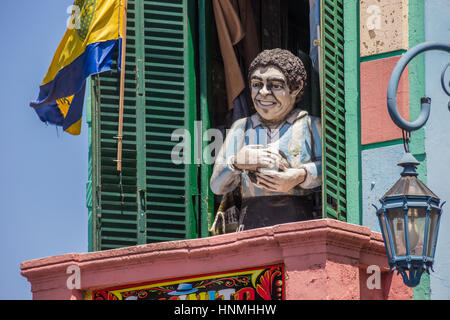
(115, 195)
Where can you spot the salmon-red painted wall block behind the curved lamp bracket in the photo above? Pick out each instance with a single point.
(376, 124)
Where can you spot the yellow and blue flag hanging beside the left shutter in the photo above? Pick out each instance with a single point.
(88, 46)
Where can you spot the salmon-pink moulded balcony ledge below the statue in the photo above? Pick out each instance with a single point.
(322, 259)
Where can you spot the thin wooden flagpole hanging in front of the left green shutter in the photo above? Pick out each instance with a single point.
(122, 85)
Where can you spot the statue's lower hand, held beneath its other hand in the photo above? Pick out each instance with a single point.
(280, 181)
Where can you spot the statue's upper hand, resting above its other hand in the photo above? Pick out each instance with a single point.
(252, 157)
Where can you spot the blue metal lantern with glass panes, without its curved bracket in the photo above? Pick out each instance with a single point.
(409, 220)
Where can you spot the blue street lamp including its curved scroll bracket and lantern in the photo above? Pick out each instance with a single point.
(410, 213)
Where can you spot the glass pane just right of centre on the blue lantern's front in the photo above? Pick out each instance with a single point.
(416, 230)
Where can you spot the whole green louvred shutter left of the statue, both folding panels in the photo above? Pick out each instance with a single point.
(152, 199)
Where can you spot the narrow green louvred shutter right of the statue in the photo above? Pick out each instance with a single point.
(333, 110)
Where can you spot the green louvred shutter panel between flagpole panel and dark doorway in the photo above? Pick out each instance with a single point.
(170, 104)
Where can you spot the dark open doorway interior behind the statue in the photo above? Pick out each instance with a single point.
(275, 24)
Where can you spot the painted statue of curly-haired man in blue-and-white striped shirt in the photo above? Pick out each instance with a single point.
(274, 156)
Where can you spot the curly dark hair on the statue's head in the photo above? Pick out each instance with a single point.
(289, 64)
